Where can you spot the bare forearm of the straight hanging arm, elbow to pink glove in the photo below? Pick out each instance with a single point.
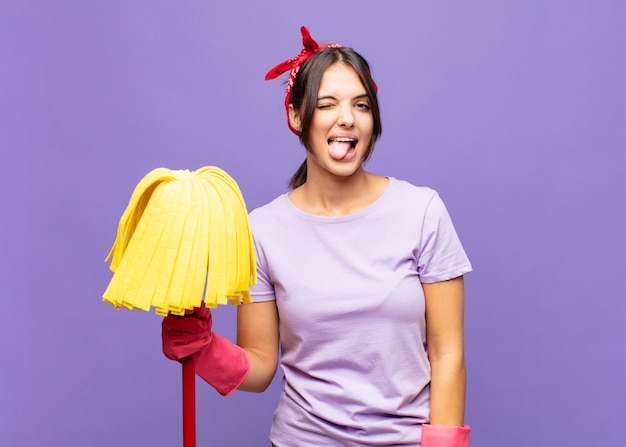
(447, 389)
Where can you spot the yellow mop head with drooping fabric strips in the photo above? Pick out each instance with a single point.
(183, 236)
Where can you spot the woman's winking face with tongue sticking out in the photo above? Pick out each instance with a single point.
(342, 123)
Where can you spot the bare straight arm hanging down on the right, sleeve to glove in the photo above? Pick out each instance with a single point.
(444, 338)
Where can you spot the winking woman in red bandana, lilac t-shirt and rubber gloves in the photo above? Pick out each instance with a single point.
(360, 285)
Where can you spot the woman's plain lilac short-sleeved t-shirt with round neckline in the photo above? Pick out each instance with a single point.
(351, 306)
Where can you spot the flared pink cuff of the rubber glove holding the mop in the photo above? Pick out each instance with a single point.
(222, 364)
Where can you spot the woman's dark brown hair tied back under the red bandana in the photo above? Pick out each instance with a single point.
(306, 87)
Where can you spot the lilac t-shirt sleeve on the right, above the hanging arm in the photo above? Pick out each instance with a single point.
(440, 254)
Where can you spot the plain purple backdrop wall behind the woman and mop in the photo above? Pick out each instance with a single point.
(514, 110)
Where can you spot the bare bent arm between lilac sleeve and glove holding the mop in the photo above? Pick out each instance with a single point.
(257, 334)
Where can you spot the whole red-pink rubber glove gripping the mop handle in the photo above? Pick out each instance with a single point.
(221, 364)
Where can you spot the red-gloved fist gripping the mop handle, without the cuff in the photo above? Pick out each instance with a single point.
(186, 335)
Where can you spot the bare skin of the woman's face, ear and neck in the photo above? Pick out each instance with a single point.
(338, 187)
